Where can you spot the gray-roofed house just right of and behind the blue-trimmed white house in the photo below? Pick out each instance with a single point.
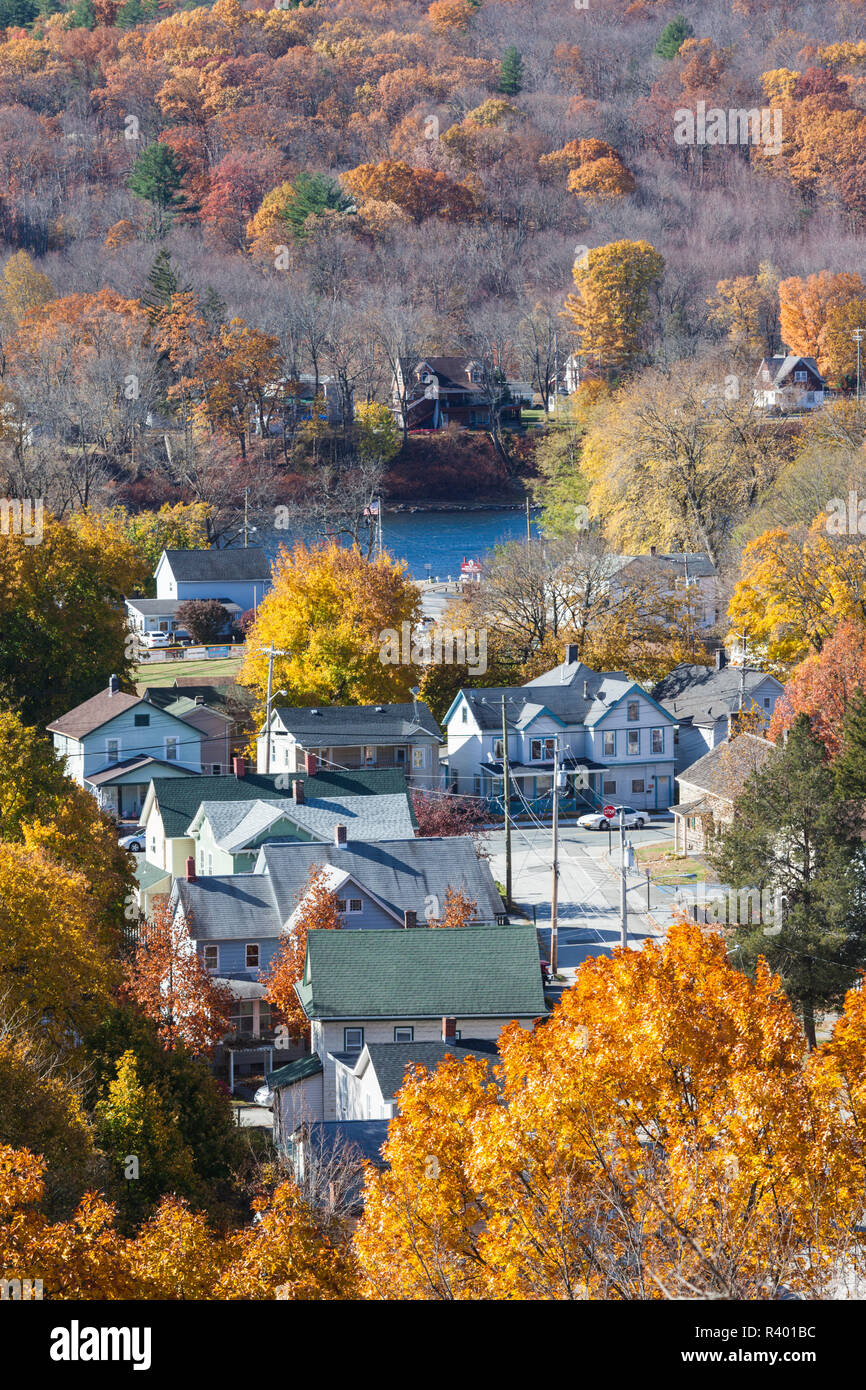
(707, 700)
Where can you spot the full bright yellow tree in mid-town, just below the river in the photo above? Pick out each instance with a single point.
(332, 611)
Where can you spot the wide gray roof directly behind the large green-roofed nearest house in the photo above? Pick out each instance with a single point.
(400, 874)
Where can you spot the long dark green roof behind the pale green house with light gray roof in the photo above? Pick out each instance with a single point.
(180, 799)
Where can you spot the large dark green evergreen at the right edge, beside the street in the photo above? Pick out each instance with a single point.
(793, 837)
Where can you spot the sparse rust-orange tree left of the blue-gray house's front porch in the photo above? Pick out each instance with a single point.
(172, 986)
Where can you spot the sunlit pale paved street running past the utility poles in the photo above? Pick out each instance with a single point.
(589, 894)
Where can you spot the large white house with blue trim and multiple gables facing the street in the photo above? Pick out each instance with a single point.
(615, 742)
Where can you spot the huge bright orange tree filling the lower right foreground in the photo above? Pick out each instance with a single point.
(533, 1177)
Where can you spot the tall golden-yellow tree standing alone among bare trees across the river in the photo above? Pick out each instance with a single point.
(611, 305)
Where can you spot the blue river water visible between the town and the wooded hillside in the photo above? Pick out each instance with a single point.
(440, 540)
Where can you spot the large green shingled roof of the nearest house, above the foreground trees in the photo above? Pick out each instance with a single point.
(468, 972)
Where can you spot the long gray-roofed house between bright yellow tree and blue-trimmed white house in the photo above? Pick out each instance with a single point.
(355, 736)
